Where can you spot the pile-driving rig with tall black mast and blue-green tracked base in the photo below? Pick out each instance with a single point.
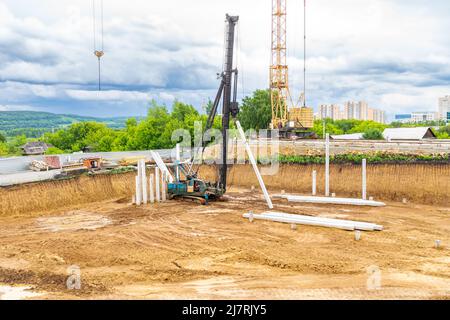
(192, 187)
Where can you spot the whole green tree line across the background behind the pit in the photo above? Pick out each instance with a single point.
(155, 130)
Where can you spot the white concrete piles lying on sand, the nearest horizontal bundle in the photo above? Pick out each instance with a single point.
(314, 221)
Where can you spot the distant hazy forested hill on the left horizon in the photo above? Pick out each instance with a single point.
(34, 124)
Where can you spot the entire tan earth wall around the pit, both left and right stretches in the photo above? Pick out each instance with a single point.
(419, 183)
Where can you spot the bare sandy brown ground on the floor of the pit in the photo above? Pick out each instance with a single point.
(184, 250)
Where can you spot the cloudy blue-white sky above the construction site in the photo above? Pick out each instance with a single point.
(395, 54)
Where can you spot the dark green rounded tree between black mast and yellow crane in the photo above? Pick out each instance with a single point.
(256, 111)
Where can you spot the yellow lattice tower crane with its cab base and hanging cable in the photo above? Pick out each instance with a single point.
(293, 120)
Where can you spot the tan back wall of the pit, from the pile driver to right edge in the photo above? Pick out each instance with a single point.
(425, 183)
